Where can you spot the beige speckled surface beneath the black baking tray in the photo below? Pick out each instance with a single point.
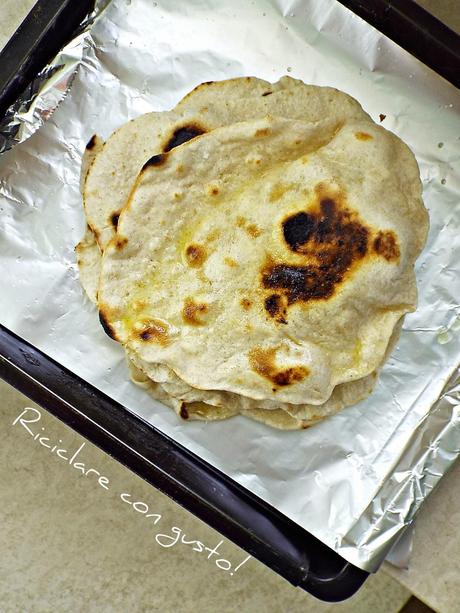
(69, 545)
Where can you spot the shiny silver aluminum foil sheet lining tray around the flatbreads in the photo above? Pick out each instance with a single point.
(356, 480)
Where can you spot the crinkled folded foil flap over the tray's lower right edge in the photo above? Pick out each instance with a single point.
(431, 451)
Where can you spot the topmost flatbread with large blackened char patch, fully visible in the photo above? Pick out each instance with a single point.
(215, 273)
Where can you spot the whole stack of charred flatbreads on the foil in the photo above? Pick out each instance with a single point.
(252, 250)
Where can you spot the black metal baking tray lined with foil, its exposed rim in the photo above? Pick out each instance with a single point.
(216, 499)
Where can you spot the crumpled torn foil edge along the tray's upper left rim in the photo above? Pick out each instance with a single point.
(46, 91)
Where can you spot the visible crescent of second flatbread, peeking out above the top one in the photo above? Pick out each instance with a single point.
(210, 105)
